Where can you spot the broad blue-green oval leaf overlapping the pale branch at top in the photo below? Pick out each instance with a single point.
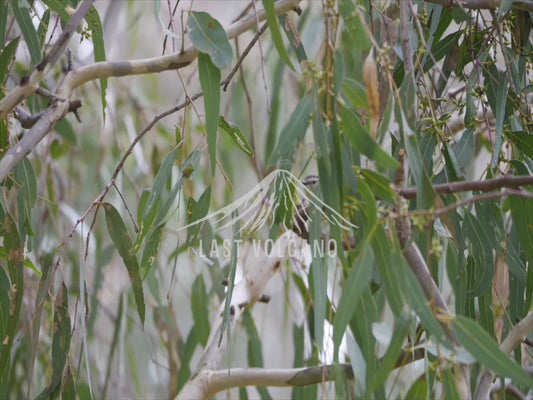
(209, 37)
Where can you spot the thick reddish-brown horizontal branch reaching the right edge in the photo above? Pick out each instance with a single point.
(468, 186)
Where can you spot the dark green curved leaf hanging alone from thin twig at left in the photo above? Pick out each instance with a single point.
(122, 241)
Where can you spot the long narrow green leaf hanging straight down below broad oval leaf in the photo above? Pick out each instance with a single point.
(210, 82)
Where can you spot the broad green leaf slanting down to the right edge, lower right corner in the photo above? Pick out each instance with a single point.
(478, 343)
